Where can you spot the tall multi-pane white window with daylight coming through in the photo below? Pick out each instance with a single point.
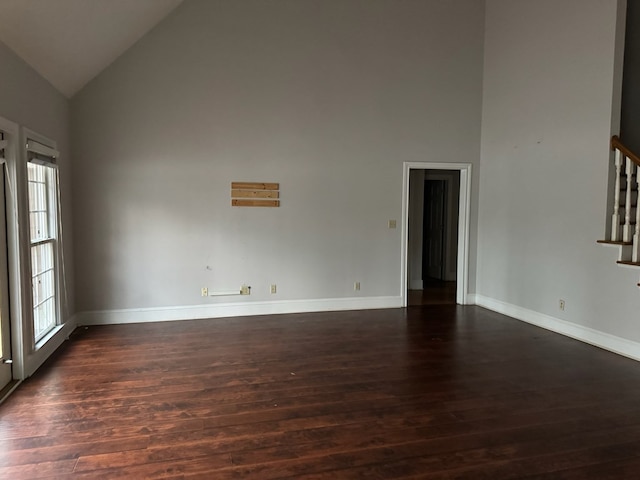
(42, 181)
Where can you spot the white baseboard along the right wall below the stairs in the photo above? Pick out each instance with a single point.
(588, 335)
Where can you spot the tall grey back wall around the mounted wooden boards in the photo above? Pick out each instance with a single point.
(327, 98)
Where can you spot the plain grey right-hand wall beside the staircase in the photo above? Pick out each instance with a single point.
(550, 82)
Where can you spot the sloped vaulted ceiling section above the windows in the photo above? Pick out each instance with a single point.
(69, 42)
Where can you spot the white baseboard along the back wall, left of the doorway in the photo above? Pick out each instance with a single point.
(238, 309)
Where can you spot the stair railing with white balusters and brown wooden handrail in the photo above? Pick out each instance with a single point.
(630, 233)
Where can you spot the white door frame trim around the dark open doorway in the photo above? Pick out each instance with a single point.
(464, 203)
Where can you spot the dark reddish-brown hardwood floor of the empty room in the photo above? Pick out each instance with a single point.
(431, 392)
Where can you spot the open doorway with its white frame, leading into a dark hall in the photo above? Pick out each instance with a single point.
(435, 233)
